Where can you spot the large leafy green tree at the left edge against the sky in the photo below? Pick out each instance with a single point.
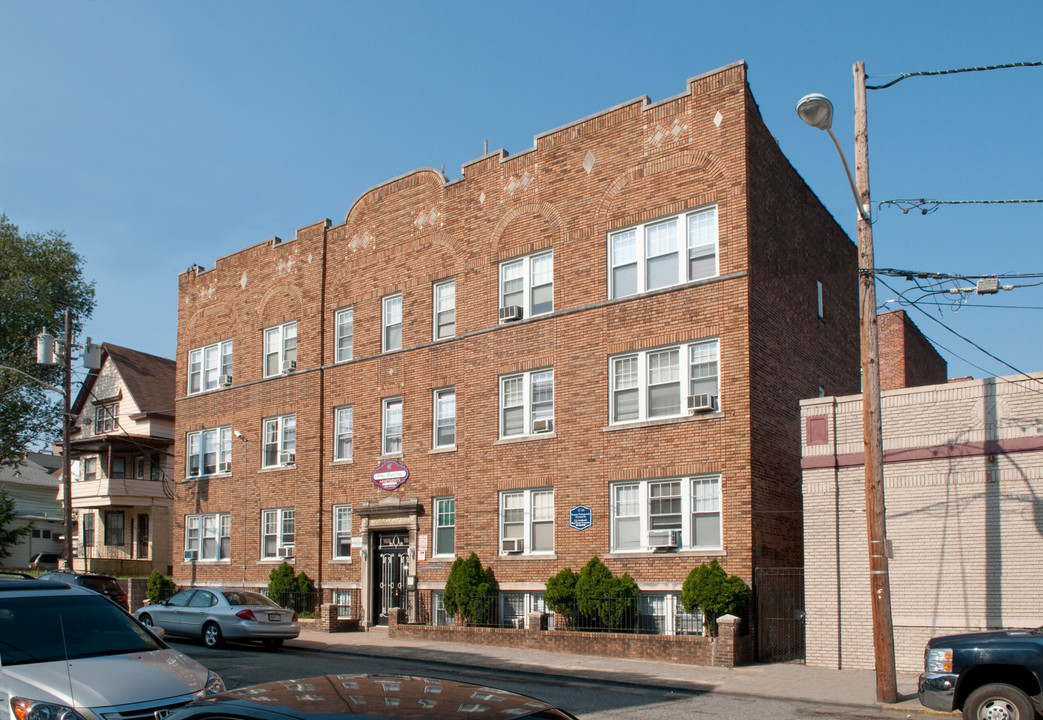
(41, 277)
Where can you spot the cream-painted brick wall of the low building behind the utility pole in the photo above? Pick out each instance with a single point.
(963, 525)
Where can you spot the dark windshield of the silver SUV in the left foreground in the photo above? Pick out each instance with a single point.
(54, 628)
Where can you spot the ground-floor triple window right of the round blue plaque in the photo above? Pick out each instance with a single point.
(687, 510)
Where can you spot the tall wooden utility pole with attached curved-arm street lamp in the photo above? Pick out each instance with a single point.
(818, 112)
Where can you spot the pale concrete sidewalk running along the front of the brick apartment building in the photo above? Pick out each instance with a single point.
(793, 682)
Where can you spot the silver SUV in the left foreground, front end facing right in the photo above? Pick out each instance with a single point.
(69, 654)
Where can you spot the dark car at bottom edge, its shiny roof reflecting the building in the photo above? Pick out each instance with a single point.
(396, 698)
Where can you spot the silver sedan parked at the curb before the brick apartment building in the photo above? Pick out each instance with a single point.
(220, 614)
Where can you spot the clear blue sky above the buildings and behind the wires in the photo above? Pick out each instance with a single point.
(158, 135)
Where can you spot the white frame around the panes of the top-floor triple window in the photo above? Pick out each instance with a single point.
(696, 237)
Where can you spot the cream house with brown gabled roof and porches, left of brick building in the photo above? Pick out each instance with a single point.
(122, 455)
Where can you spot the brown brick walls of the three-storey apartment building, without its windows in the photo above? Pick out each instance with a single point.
(629, 165)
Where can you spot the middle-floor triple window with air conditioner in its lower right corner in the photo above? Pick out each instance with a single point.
(648, 385)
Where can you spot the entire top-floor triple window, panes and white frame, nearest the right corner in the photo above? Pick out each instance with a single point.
(650, 256)
